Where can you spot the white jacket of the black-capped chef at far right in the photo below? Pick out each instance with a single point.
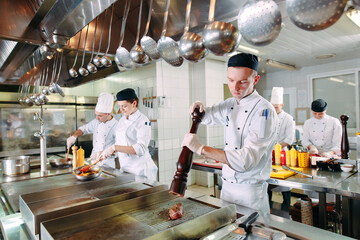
(324, 134)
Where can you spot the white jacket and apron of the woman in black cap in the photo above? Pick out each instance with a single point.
(136, 132)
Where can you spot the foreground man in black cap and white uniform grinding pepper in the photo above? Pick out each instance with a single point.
(250, 122)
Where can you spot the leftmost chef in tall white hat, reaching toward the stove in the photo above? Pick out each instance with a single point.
(102, 128)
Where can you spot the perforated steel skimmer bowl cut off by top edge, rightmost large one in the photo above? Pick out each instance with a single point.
(316, 15)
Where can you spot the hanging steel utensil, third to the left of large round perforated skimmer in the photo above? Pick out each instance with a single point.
(168, 48)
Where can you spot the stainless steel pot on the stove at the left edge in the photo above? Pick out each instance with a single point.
(15, 165)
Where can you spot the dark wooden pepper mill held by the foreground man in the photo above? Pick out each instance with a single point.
(179, 183)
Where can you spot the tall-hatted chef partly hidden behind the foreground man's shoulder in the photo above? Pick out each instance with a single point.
(285, 134)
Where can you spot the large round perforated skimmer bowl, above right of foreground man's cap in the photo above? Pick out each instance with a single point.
(259, 22)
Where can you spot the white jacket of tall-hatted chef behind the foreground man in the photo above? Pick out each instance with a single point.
(285, 129)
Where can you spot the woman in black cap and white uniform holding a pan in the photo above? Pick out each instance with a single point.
(133, 134)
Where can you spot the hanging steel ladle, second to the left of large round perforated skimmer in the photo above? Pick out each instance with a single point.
(191, 45)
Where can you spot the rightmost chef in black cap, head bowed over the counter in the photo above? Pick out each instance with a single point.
(322, 133)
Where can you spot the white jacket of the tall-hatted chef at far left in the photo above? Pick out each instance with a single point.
(103, 137)
